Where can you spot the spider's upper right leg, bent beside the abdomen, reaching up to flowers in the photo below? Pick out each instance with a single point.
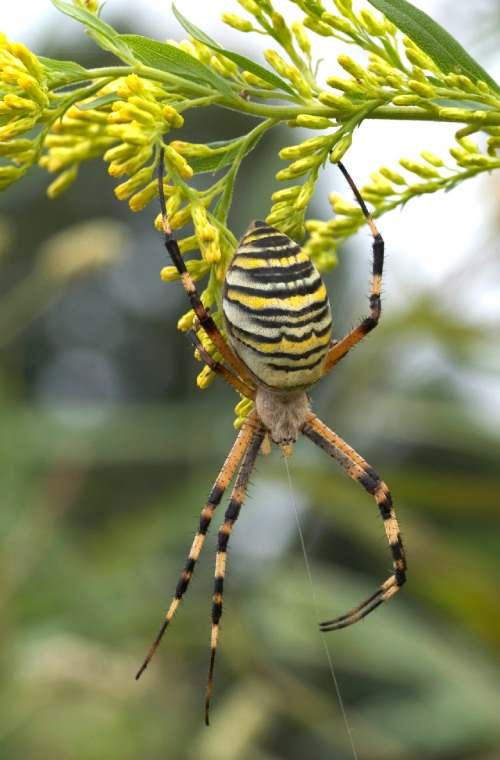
(339, 349)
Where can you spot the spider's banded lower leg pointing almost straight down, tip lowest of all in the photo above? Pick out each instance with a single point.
(230, 517)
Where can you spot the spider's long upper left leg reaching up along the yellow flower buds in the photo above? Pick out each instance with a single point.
(204, 318)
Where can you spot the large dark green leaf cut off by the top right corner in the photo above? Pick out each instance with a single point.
(435, 41)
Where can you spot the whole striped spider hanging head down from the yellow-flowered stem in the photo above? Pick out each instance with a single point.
(278, 320)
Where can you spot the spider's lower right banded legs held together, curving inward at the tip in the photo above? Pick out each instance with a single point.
(359, 470)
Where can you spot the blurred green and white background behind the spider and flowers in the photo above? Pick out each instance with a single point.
(108, 451)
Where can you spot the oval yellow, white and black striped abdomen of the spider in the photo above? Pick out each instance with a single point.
(276, 310)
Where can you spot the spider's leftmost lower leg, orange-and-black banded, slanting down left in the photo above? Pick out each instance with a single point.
(218, 490)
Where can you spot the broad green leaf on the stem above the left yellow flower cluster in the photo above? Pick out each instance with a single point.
(173, 60)
